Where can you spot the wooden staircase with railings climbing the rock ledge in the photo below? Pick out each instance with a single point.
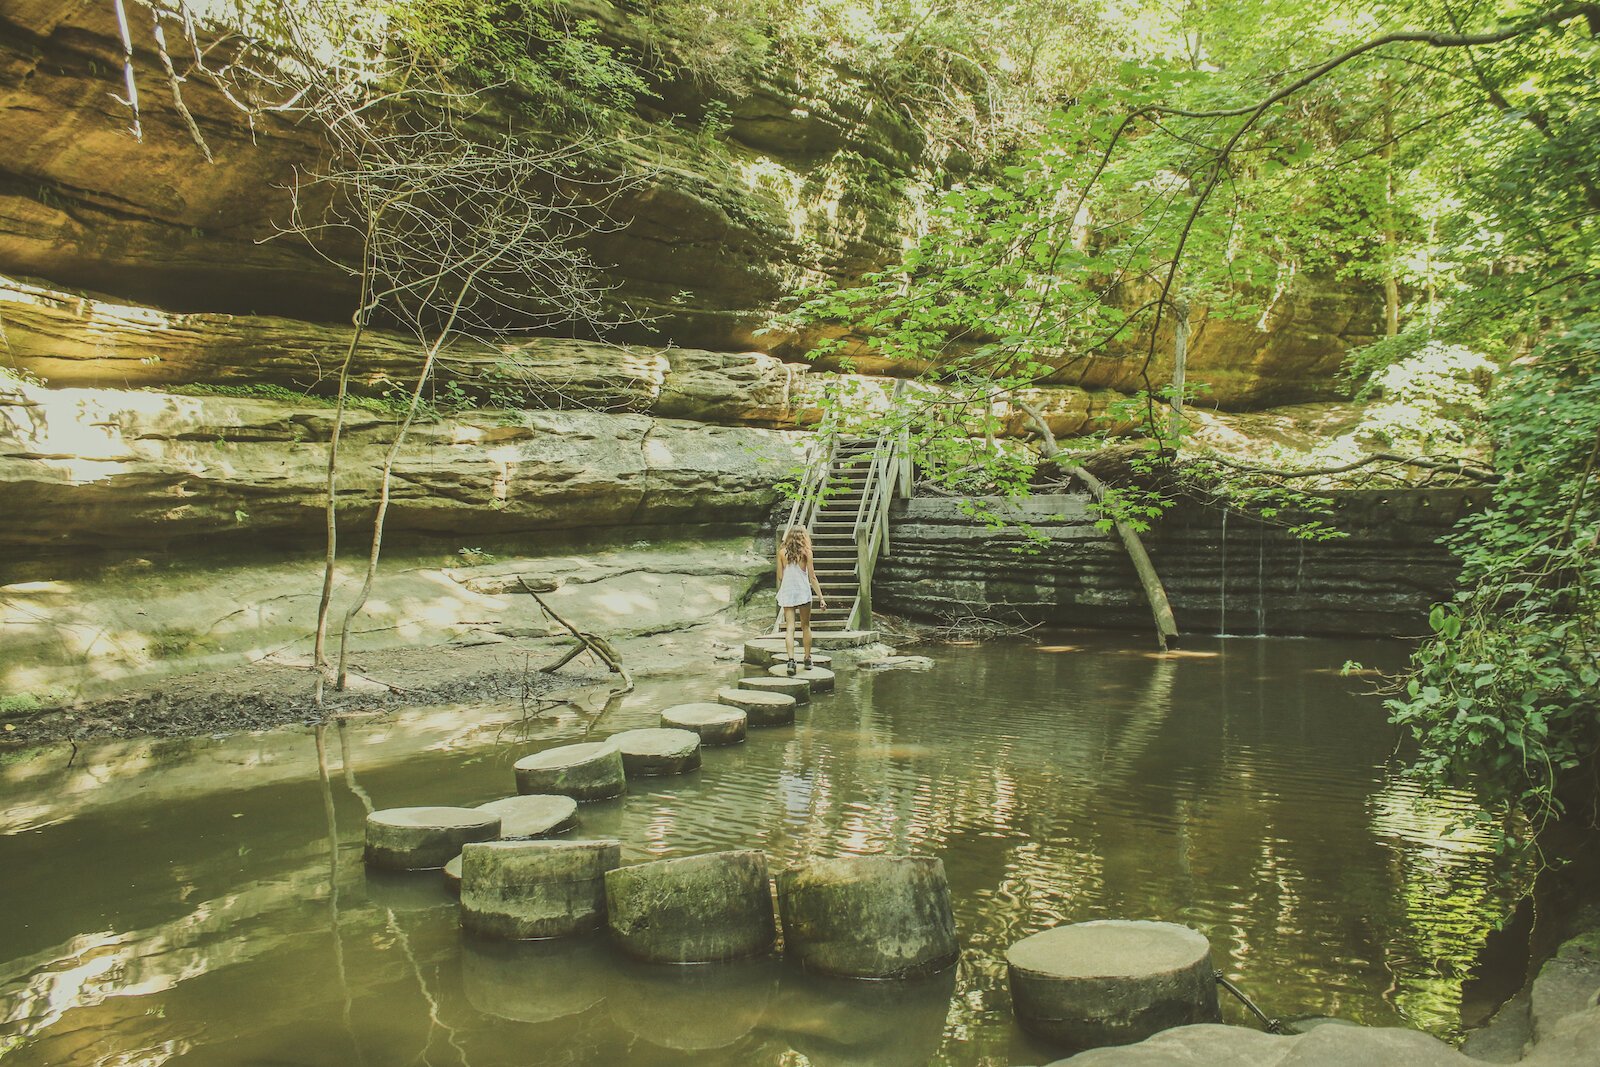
(844, 502)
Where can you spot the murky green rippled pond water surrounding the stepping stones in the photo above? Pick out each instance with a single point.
(196, 914)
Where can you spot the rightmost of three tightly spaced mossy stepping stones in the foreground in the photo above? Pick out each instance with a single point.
(868, 916)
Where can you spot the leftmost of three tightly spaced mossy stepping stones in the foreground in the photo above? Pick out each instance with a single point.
(519, 890)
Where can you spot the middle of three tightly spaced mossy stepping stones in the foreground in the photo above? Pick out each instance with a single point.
(695, 909)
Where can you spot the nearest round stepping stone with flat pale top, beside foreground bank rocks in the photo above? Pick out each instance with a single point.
(1111, 981)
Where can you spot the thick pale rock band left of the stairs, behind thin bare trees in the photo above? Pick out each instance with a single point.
(84, 466)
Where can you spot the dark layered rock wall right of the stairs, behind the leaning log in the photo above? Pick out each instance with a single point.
(1225, 573)
